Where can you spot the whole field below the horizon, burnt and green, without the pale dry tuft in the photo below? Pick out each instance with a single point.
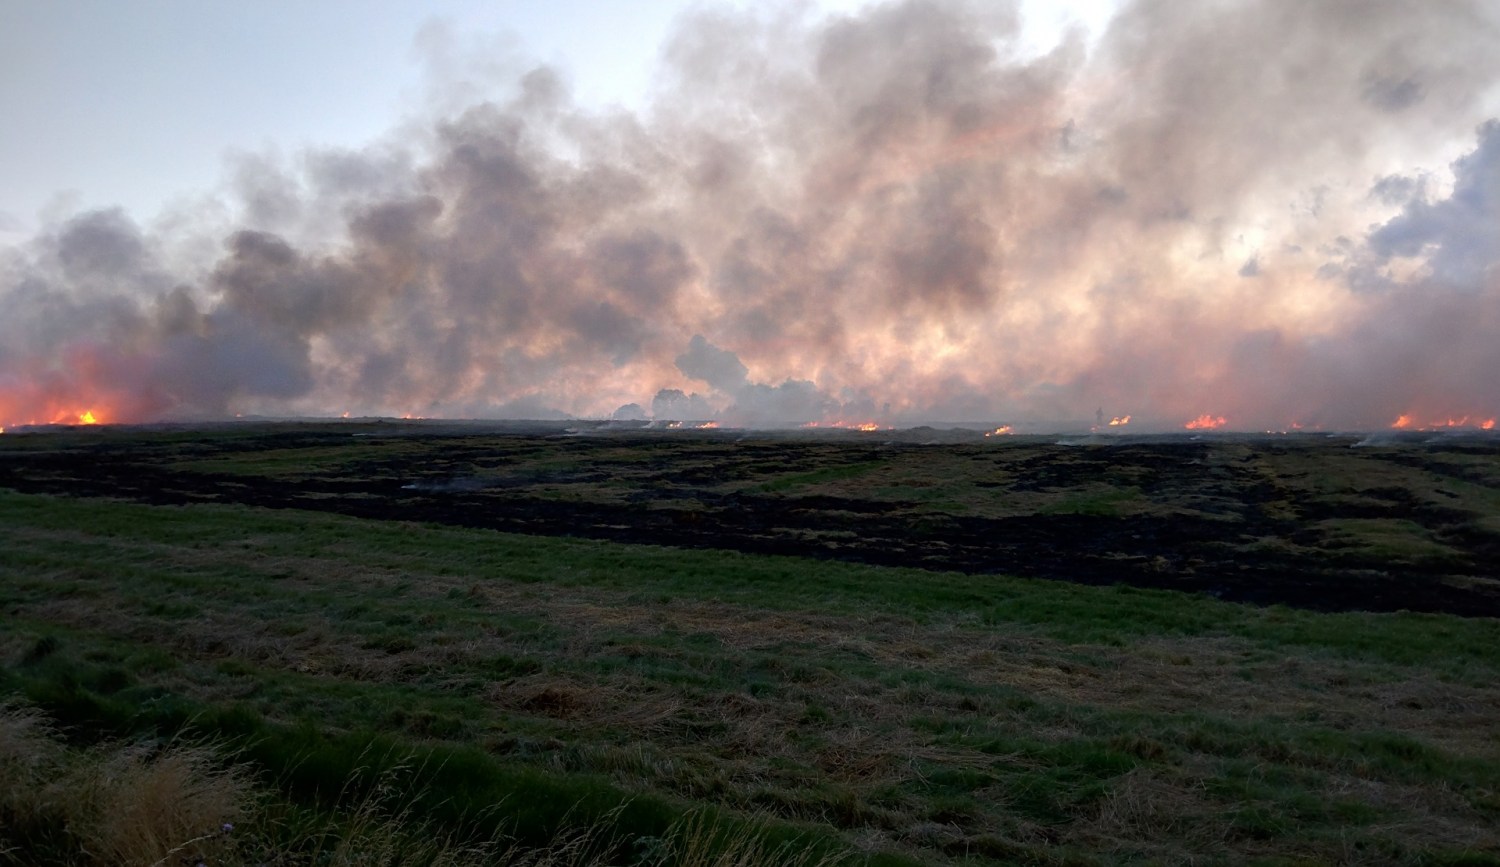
(865, 649)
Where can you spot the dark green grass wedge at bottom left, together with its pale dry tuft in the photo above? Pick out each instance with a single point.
(344, 800)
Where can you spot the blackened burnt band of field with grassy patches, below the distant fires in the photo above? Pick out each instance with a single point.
(1301, 521)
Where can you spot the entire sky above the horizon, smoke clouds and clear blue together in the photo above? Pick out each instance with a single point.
(1243, 214)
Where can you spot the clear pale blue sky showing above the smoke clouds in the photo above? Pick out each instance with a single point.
(143, 104)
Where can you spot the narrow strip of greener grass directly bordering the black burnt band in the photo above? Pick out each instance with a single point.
(1459, 647)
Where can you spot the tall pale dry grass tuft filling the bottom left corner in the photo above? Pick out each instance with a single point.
(142, 805)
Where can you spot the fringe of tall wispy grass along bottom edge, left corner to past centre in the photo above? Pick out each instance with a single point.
(134, 805)
